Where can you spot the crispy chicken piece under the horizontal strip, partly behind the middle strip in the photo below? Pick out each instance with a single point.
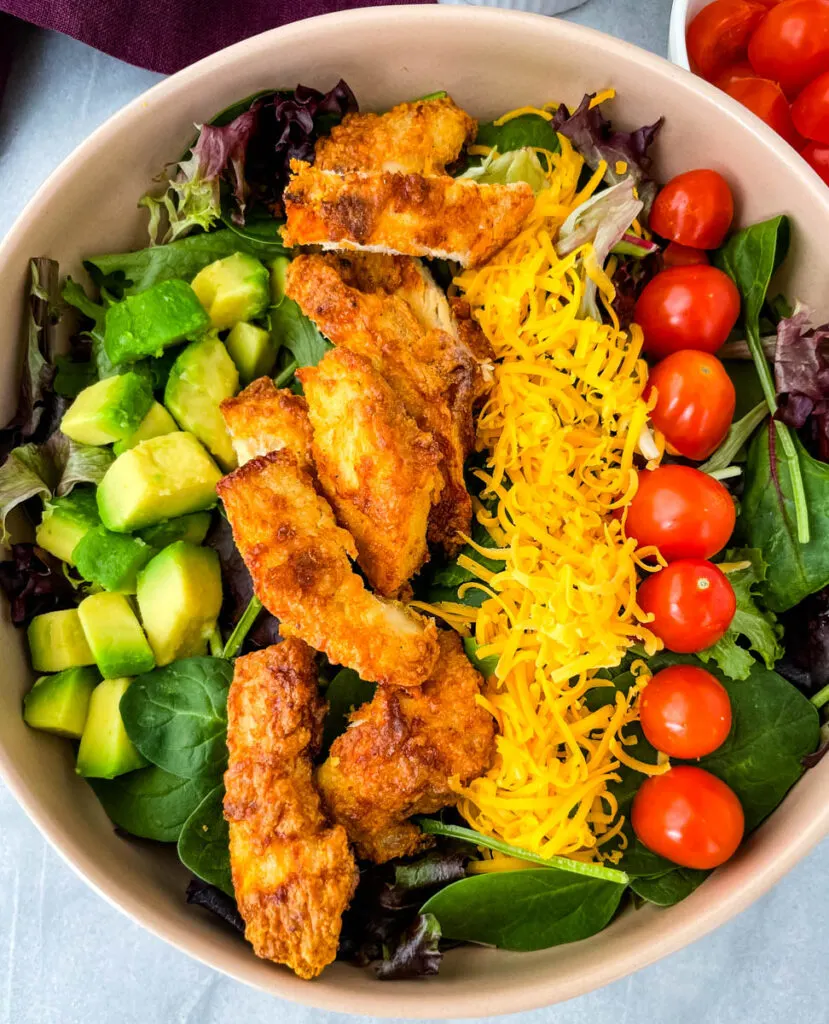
(389, 310)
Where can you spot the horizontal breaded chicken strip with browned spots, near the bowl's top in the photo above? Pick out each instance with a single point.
(441, 218)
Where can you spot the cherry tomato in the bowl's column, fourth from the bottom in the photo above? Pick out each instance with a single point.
(682, 511)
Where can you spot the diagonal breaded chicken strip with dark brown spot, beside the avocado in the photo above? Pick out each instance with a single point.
(299, 561)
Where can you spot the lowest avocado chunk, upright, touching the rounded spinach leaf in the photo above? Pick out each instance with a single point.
(106, 749)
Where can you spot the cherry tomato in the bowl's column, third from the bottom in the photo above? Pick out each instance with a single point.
(692, 604)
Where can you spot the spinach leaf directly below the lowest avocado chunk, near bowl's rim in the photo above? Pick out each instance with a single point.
(151, 803)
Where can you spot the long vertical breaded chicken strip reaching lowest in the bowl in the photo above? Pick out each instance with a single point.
(294, 874)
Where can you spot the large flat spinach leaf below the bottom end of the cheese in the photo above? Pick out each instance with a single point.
(525, 911)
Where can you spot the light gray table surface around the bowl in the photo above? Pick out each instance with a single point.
(68, 958)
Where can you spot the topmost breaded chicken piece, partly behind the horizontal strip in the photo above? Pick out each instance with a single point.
(416, 139)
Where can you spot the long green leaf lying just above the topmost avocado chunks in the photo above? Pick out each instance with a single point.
(126, 274)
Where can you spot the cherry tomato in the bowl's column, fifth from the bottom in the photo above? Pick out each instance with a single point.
(695, 403)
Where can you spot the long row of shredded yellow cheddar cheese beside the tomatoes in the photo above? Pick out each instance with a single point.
(560, 430)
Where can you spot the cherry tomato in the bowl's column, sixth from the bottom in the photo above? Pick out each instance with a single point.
(687, 308)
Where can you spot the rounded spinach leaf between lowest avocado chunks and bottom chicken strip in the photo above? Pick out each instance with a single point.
(178, 716)
